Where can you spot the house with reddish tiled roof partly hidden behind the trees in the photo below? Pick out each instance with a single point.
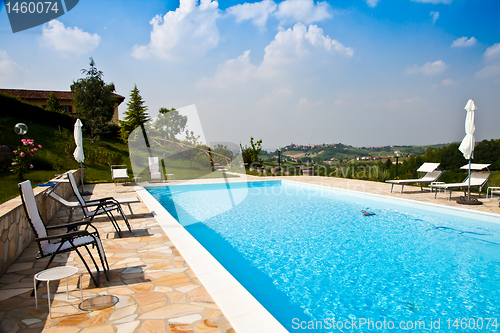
(40, 97)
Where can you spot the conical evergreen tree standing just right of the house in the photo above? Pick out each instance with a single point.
(134, 116)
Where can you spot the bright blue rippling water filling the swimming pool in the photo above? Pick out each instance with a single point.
(310, 257)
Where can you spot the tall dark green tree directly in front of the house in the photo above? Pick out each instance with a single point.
(95, 102)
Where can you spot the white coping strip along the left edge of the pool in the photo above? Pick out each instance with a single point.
(240, 308)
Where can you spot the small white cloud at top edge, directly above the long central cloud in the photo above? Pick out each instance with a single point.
(302, 11)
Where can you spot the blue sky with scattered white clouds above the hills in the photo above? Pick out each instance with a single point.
(360, 72)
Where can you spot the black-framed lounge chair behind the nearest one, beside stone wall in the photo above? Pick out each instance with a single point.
(102, 206)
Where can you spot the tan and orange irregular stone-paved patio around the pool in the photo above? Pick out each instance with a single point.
(156, 289)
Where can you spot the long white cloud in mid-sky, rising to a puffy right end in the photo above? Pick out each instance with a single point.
(289, 49)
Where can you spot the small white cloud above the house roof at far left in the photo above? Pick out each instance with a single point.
(68, 40)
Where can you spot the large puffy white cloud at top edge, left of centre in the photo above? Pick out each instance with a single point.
(189, 31)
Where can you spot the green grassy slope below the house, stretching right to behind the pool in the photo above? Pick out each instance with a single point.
(54, 131)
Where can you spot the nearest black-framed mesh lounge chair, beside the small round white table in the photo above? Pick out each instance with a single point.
(63, 242)
